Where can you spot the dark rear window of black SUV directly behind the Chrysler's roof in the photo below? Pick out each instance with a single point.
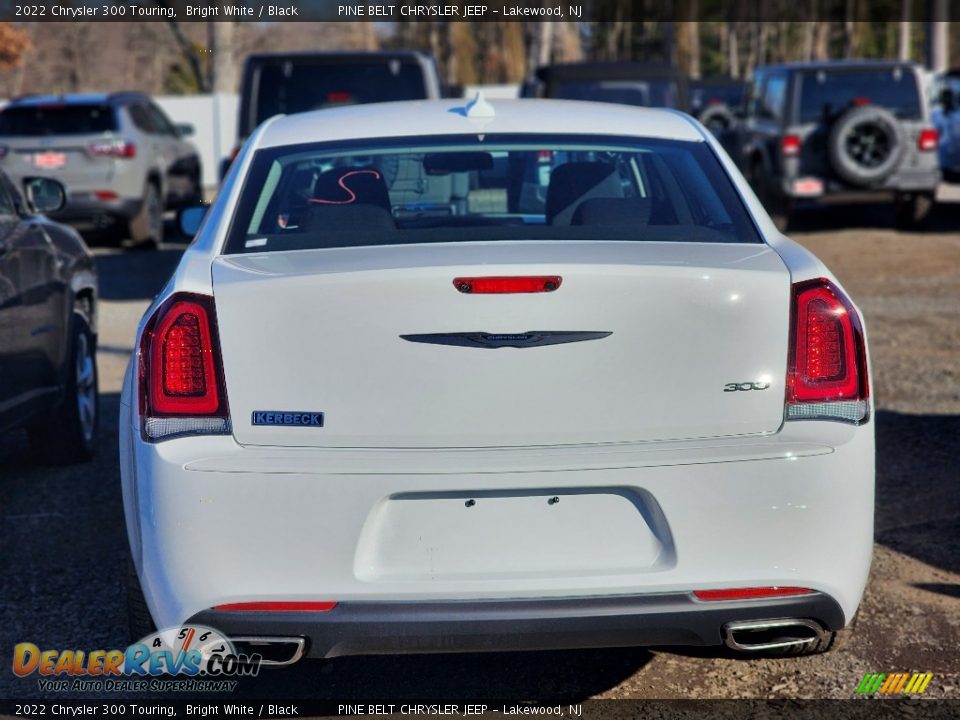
(290, 87)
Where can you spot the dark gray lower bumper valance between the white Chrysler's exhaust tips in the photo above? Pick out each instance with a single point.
(359, 628)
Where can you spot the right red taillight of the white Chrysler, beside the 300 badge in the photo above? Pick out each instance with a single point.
(827, 376)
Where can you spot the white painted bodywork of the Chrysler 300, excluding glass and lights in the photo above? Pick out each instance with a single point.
(682, 491)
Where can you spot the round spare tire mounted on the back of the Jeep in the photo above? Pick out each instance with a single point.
(865, 145)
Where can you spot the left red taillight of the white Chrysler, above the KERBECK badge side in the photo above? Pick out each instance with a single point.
(181, 377)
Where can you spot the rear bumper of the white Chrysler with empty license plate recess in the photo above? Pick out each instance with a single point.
(212, 522)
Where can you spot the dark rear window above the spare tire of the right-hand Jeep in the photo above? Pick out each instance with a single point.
(825, 94)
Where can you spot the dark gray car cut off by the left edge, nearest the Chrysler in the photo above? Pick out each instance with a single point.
(48, 302)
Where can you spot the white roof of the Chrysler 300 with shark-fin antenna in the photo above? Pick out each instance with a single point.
(448, 117)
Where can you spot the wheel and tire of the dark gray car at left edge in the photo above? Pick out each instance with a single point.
(69, 434)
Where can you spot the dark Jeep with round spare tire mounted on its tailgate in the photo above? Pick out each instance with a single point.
(838, 132)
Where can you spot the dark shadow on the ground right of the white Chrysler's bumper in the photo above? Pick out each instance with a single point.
(917, 501)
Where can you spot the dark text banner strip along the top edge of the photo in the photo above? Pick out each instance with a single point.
(442, 10)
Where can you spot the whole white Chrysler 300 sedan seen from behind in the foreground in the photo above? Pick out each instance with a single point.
(529, 375)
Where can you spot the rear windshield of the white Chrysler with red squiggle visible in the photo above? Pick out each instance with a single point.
(486, 188)
